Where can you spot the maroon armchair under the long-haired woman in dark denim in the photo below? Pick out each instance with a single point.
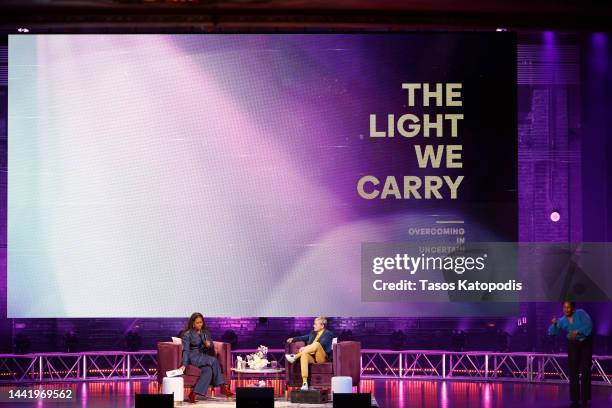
(169, 357)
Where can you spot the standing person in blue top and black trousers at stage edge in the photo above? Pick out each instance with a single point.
(578, 326)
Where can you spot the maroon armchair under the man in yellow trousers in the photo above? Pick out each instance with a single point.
(346, 361)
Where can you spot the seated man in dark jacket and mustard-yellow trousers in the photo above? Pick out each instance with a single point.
(318, 348)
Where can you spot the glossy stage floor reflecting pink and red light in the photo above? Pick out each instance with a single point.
(388, 393)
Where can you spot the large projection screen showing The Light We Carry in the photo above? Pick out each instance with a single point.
(157, 175)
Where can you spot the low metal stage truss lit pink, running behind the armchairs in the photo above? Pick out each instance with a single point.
(387, 364)
